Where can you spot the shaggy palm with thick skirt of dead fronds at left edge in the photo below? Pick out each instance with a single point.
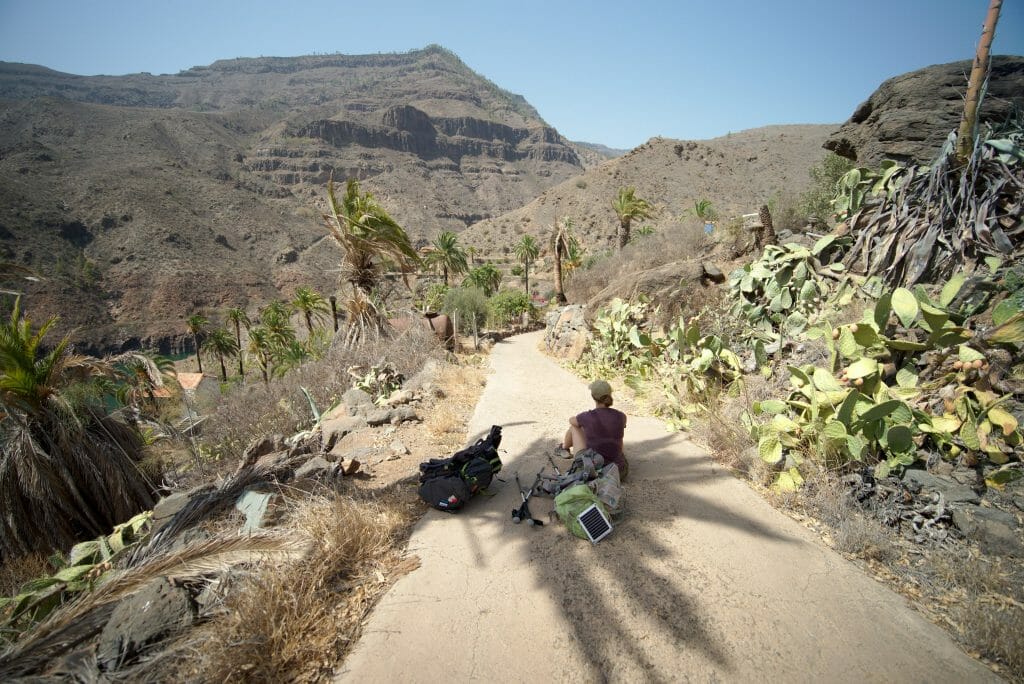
(69, 465)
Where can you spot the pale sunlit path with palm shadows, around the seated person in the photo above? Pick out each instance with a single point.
(703, 581)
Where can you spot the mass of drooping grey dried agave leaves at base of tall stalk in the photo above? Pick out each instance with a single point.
(947, 219)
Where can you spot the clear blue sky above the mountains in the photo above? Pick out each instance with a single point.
(615, 73)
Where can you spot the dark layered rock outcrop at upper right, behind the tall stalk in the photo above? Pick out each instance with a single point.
(909, 118)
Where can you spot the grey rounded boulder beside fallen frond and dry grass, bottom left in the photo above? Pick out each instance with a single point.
(146, 618)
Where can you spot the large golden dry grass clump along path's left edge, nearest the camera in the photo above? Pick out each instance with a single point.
(296, 623)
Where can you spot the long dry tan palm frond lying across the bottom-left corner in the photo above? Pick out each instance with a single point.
(86, 618)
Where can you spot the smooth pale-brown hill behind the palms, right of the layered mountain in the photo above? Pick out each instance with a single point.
(737, 174)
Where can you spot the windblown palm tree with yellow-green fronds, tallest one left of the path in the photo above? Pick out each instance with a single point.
(369, 237)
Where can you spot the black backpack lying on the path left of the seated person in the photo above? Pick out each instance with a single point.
(448, 484)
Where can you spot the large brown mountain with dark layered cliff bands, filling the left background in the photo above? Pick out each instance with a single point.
(144, 199)
